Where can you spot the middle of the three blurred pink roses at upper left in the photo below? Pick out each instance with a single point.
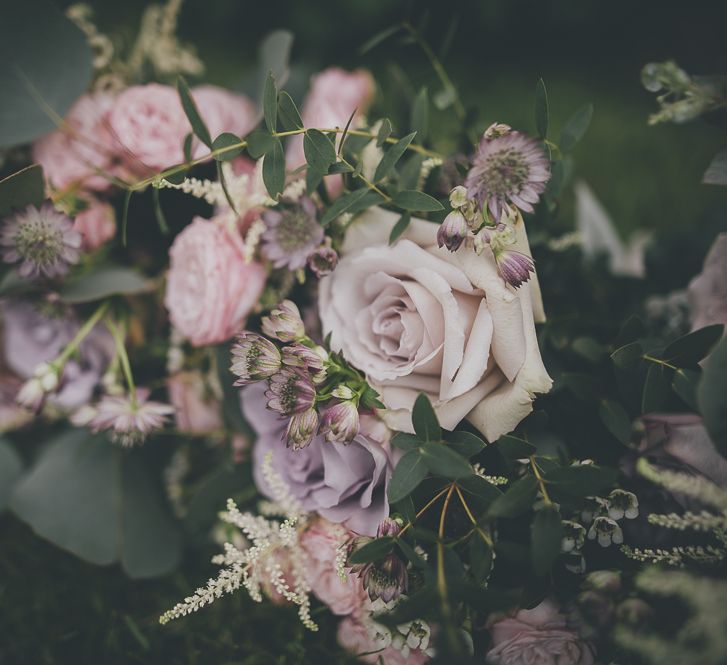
(150, 124)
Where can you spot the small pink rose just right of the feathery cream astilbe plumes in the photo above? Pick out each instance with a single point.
(322, 541)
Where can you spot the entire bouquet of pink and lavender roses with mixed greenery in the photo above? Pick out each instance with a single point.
(443, 453)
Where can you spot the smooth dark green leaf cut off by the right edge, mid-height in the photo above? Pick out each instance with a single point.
(711, 396)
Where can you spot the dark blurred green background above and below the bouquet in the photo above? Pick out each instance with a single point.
(56, 609)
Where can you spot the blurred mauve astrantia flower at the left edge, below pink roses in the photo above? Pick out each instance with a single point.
(41, 240)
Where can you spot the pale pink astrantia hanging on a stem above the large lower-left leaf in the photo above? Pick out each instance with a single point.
(129, 420)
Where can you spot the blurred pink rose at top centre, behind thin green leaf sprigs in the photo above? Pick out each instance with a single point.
(334, 94)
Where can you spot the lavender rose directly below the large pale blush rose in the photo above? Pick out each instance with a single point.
(343, 483)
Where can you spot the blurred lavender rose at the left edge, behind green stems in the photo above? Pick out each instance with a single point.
(32, 337)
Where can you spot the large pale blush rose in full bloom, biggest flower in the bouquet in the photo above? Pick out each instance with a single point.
(416, 318)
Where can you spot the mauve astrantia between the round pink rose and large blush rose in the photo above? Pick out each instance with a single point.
(292, 235)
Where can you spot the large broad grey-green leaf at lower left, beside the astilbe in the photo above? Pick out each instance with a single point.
(100, 503)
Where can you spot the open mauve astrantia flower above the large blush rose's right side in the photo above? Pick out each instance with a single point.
(508, 169)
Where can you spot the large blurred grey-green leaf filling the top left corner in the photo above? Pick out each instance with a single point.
(45, 66)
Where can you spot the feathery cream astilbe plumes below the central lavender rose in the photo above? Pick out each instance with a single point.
(273, 561)
